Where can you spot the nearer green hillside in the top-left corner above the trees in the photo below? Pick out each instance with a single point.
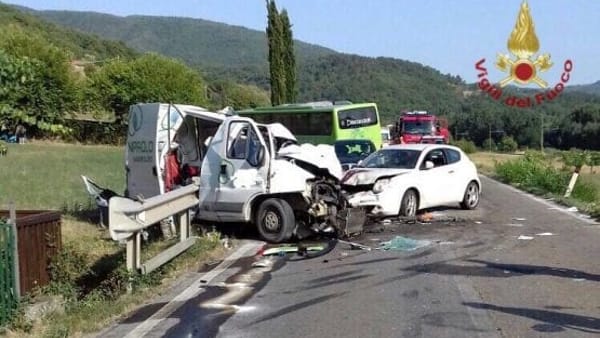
(78, 44)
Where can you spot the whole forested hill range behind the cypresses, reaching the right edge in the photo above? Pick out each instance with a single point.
(222, 52)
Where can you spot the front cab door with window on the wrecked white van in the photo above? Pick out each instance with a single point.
(243, 172)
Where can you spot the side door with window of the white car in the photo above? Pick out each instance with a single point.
(435, 182)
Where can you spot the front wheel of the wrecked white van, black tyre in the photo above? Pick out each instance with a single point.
(275, 220)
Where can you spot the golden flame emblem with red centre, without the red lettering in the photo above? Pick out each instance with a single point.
(523, 44)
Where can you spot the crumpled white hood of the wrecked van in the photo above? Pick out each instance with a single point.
(321, 157)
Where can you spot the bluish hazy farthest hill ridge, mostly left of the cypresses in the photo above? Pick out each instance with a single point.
(198, 42)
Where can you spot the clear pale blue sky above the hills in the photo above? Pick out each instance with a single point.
(450, 36)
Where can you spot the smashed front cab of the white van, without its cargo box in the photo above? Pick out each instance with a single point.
(259, 174)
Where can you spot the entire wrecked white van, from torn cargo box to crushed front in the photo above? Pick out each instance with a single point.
(249, 172)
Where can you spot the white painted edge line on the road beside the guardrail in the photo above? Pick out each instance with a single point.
(192, 291)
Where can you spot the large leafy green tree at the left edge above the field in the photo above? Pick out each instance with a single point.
(37, 86)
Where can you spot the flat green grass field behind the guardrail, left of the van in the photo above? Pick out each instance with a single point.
(48, 175)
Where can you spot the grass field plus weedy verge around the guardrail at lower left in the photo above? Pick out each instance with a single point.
(89, 278)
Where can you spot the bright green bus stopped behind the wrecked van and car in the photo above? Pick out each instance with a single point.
(323, 122)
